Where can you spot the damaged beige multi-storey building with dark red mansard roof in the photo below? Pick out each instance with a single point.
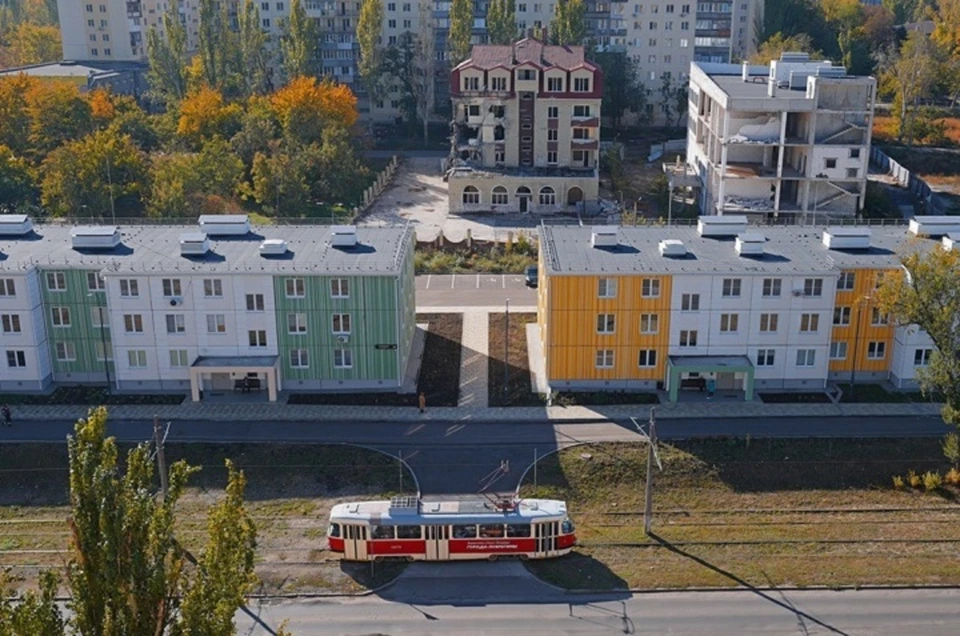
(525, 129)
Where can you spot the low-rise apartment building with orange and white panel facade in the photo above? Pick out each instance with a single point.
(747, 307)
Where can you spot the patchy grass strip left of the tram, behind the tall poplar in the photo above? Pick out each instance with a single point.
(290, 489)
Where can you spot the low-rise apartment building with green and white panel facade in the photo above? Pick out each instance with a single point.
(188, 308)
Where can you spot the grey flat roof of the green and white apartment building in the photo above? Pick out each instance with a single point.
(148, 249)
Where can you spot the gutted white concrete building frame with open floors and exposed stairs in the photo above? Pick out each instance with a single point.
(785, 140)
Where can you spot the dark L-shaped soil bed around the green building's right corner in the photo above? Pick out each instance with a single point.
(439, 371)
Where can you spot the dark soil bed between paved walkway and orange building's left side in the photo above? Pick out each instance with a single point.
(518, 391)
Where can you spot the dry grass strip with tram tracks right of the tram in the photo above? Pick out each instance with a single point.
(762, 512)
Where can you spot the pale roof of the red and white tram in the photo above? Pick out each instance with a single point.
(452, 512)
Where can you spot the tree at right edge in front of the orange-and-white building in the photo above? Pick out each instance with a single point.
(925, 293)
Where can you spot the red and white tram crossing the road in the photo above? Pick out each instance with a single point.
(409, 529)
